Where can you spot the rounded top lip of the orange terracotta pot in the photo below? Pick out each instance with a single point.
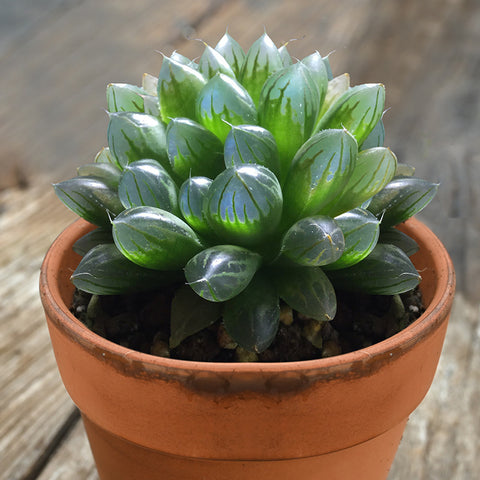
(435, 314)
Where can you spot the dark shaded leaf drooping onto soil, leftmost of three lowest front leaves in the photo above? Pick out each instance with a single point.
(190, 314)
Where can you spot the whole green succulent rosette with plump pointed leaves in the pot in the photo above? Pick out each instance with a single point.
(251, 181)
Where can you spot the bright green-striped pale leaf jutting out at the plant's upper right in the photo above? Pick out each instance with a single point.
(358, 110)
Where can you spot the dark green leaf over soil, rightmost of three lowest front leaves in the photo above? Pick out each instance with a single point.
(307, 290)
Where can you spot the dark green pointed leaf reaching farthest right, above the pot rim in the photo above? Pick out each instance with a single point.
(401, 199)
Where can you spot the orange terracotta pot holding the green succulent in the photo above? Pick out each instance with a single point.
(340, 418)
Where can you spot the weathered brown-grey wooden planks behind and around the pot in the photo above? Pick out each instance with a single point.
(56, 57)
